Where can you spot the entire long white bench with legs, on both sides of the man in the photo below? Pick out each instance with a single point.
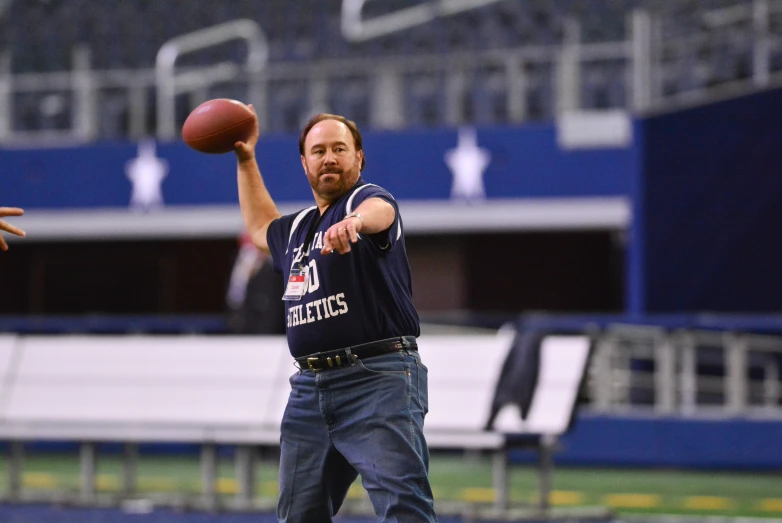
(215, 390)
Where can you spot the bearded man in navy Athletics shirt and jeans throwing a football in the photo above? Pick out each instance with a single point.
(357, 405)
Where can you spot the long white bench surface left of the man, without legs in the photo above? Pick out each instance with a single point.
(110, 388)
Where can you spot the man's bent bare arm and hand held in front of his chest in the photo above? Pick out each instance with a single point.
(372, 216)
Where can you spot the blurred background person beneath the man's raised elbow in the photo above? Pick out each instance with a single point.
(254, 297)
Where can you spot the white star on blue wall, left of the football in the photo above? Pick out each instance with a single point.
(146, 172)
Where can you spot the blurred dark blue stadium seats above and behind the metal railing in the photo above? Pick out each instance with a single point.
(40, 36)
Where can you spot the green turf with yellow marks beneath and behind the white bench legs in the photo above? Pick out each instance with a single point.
(457, 478)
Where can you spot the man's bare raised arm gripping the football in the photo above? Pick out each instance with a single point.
(258, 207)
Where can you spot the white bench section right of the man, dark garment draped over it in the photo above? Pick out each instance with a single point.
(462, 380)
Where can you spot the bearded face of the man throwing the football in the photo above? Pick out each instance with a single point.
(330, 159)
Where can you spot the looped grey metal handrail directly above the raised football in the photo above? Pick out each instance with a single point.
(166, 78)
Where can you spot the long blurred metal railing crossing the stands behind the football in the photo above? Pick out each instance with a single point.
(655, 69)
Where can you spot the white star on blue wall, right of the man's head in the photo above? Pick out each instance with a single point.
(467, 163)
